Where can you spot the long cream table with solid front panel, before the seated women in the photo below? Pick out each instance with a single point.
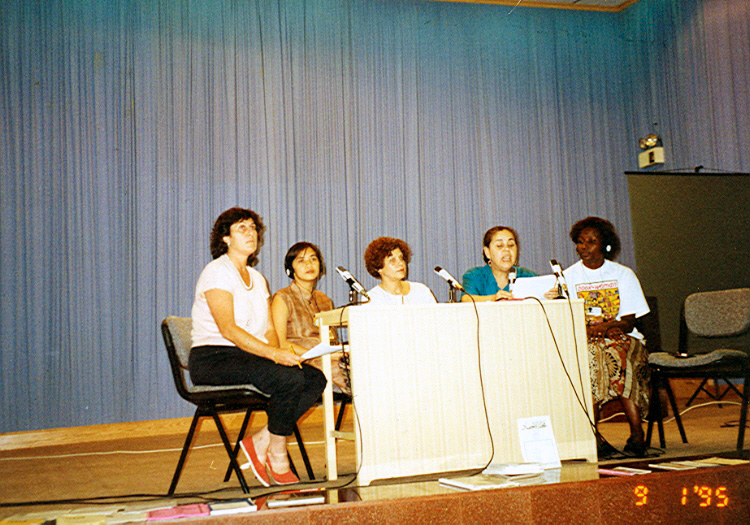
(424, 408)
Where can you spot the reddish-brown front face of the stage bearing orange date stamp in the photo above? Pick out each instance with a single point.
(707, 495)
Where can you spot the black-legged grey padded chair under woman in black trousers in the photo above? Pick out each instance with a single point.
(210, 401)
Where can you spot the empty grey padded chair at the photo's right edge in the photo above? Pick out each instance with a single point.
(712, 316)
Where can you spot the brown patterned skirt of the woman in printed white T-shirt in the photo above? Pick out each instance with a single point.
(619, 368)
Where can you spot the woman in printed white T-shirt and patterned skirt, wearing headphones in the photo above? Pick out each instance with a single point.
(613, 300)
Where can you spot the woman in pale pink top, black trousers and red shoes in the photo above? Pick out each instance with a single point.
(234, 342)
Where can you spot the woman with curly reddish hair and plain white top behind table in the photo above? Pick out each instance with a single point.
(387, 259)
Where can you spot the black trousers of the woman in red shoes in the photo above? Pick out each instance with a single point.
(291, 390)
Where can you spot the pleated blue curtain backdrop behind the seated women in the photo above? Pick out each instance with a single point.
(127, 126)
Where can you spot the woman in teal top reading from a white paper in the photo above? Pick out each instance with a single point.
(491, 282)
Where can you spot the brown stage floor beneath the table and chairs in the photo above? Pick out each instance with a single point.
(130, 465)
